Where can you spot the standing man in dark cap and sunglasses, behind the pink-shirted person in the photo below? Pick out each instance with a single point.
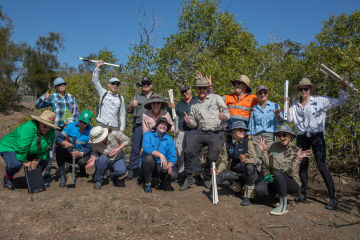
(137, 108)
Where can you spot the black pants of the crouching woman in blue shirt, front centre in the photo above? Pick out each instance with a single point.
(150, 168)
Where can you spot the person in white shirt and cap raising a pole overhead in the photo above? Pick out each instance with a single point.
(111, 111)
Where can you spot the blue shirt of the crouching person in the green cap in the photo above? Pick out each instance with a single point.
(82, 139)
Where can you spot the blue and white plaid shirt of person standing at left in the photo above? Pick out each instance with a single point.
(59, 106)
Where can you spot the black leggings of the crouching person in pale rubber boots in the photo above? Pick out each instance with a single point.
(283, 184)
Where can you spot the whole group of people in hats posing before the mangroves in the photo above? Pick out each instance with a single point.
(246, 124)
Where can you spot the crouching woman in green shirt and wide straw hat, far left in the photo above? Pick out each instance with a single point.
(28, 145)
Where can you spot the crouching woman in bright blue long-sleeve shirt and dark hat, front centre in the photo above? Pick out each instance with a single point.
(159, 156)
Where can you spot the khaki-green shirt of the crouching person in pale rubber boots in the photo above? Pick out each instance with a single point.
(283, 159)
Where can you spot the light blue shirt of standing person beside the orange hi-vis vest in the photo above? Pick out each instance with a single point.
(264, 120)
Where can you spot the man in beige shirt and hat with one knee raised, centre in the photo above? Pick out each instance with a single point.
(208, 115)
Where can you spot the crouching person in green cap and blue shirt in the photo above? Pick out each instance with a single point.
(65, 152)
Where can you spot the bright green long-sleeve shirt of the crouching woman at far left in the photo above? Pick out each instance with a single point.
(23, 141)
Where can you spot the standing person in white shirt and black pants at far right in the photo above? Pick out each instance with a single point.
(308, 115)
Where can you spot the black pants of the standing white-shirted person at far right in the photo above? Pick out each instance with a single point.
(317, 143)
